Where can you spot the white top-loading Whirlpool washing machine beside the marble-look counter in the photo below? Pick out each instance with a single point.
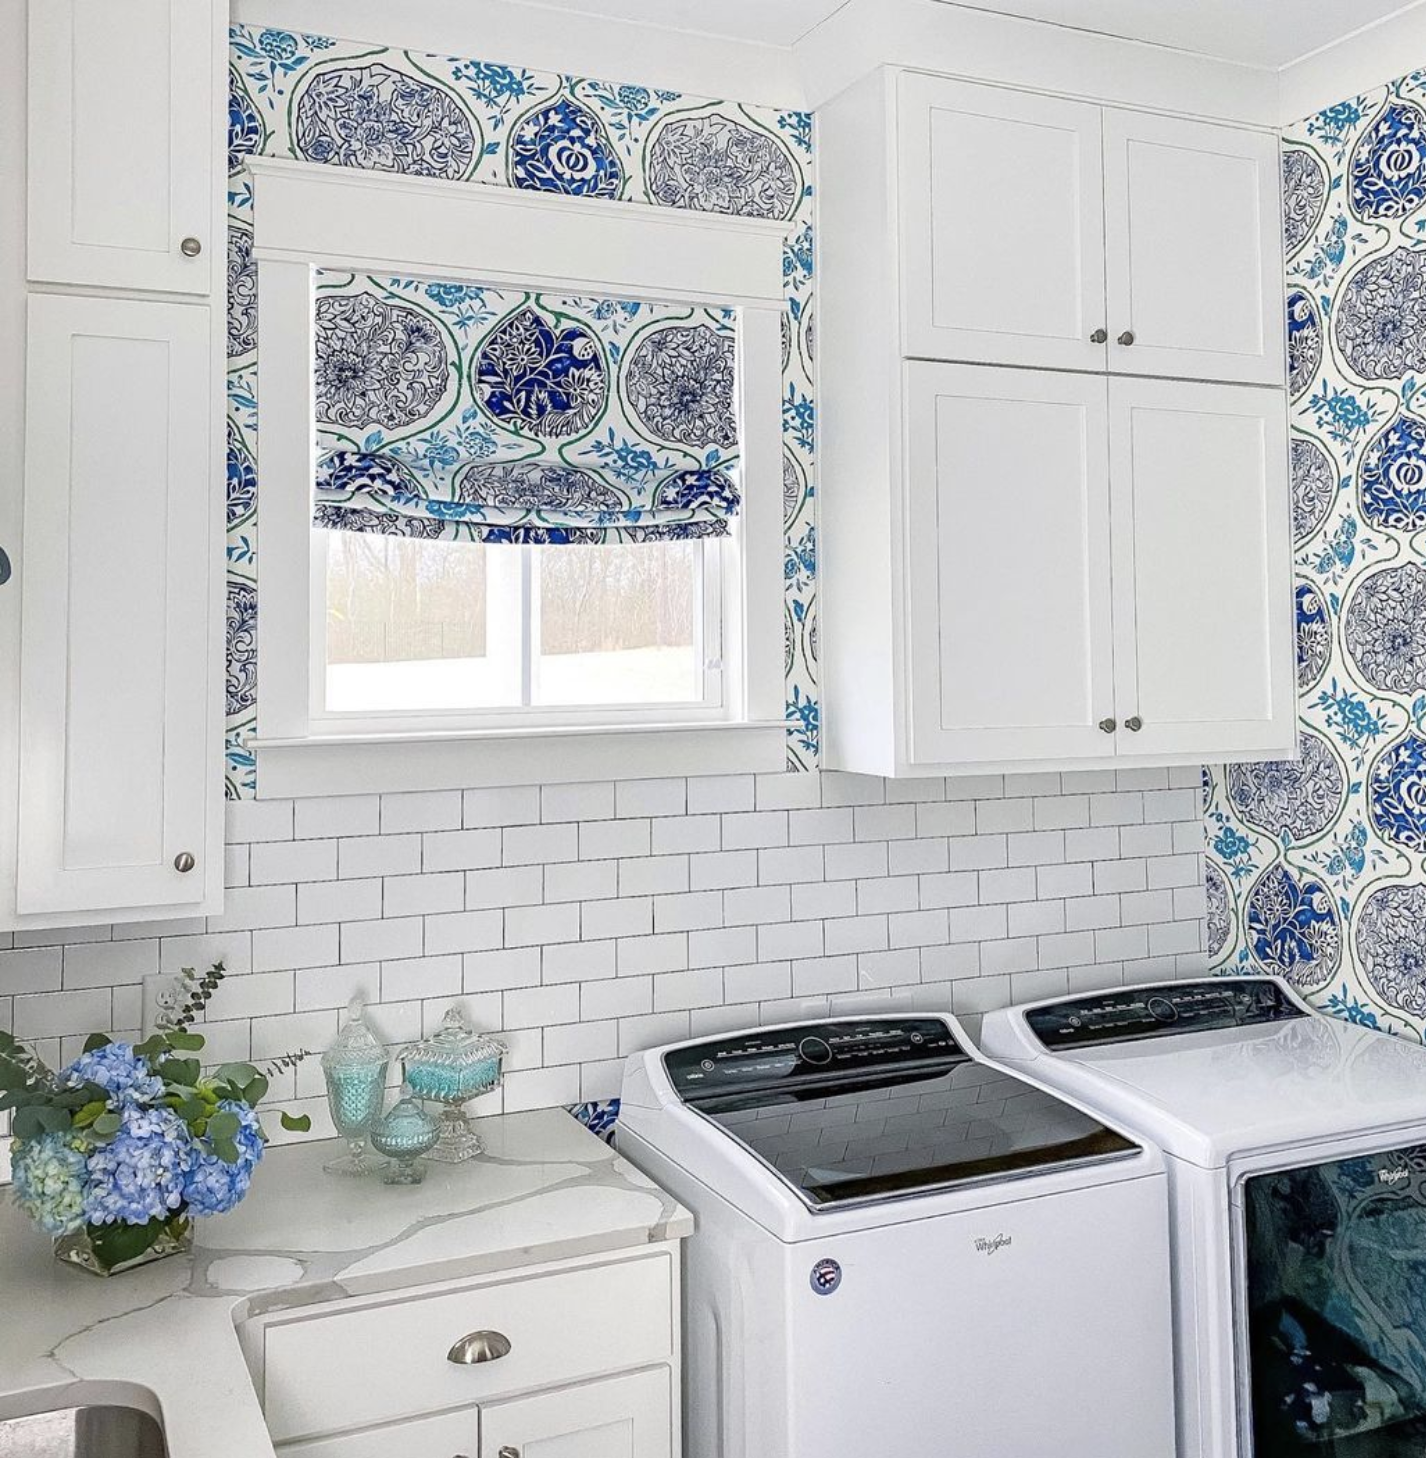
(903, 1252)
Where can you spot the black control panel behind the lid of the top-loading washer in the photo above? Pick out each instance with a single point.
(781, 1058)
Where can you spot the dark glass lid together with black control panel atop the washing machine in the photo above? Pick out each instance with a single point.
(854, 1113)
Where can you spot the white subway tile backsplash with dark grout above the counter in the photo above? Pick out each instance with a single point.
(590, 921)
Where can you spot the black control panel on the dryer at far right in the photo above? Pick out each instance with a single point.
(1156, 1013)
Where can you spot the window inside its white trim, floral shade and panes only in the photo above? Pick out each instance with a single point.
(523, 507)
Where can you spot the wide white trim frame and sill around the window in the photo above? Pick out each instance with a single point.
(310, 219)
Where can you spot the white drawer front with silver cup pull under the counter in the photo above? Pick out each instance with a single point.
(386, 1361)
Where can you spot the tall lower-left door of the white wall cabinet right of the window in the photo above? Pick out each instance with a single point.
(1008, 547)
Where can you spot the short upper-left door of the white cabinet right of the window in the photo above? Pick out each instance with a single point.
(1002, 227)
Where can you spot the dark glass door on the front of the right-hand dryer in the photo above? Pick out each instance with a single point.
(1336, 1281)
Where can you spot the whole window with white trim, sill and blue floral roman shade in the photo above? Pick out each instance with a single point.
(510, 491)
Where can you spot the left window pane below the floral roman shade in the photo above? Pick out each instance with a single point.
(408, 626)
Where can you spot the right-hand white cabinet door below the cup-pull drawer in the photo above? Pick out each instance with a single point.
(622, 1418)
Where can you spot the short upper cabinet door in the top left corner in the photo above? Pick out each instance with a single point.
(123, 142)
